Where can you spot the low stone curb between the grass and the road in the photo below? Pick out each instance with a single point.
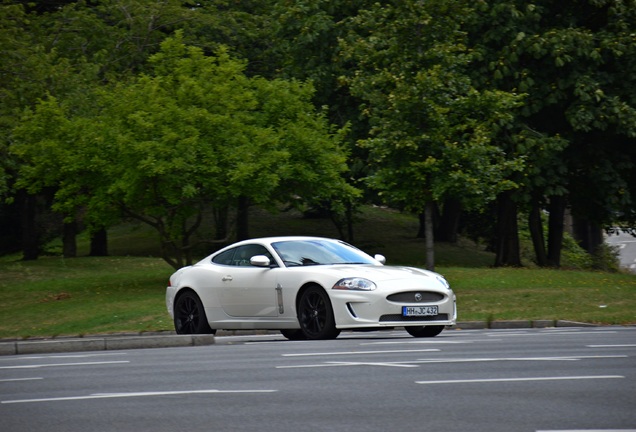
(171, 340)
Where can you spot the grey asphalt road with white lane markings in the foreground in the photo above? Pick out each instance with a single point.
(558, 379)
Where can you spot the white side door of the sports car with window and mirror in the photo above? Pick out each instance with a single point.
(246, 290)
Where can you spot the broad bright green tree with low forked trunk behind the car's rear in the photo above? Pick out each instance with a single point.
(196, 133)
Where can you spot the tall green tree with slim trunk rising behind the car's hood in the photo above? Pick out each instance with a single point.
(431, 132)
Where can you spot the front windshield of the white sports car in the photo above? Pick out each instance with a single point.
(319, 252)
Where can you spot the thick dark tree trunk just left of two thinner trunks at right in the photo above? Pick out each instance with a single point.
(507, 234)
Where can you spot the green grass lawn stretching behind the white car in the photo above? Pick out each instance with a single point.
(54, 296)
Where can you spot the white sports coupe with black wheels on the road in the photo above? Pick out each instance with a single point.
(308, 288)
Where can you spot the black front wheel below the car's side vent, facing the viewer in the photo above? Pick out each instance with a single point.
(315, 315)
